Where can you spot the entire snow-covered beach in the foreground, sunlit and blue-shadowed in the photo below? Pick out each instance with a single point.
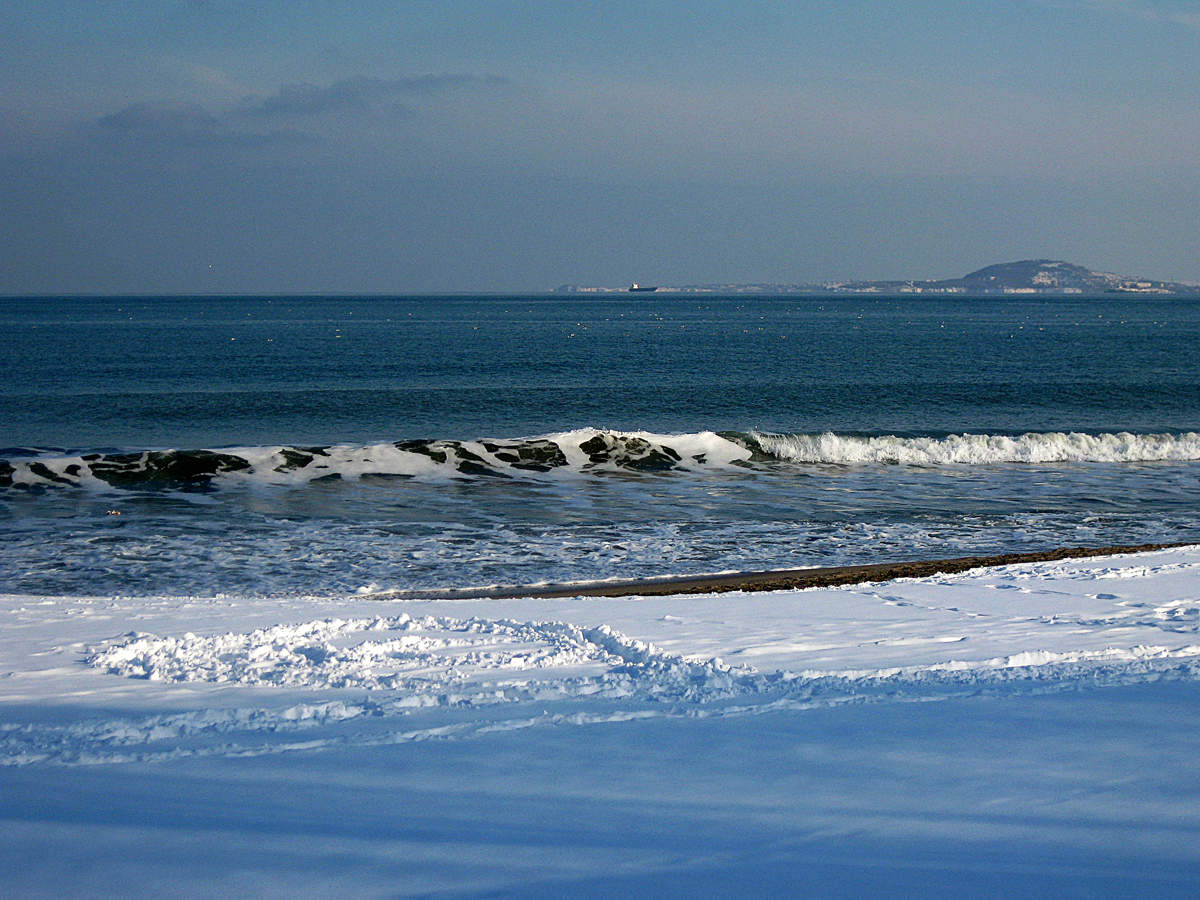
(1030, 729)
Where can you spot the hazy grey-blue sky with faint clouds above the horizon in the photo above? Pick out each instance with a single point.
(230, 147)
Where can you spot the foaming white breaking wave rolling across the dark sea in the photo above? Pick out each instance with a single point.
(583, 452)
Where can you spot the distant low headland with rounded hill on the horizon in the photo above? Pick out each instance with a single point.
(1027, 277)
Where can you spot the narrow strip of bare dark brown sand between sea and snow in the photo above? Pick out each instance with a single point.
(776, 580)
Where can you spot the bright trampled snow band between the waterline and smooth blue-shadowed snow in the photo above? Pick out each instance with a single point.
(232, 677)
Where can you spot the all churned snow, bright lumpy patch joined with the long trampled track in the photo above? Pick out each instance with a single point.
(405, 679)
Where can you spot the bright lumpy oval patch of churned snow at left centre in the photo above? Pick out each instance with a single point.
(430, 659)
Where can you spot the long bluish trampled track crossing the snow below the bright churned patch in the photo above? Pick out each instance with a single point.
(667, 688)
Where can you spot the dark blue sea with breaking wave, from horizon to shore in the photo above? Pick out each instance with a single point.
(332, 446)
